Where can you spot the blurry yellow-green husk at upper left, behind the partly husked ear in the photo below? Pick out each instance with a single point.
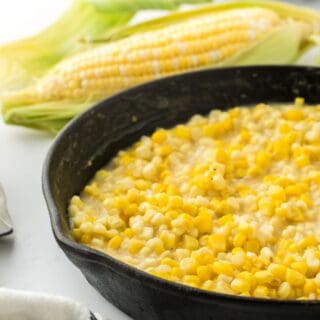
(23, 61)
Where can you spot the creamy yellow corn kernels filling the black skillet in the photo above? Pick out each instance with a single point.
(228, 203)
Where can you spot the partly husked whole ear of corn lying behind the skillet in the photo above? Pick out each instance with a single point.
(242, 32)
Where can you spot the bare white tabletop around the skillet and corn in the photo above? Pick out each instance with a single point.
(31, 259)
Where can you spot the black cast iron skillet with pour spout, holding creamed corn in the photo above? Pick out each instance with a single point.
(93, 138)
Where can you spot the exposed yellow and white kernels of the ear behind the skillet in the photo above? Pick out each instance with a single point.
(196, 43)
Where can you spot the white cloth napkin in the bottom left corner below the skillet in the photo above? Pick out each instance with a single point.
(20, 305)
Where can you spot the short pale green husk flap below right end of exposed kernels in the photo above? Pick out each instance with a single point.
(282, 46)
